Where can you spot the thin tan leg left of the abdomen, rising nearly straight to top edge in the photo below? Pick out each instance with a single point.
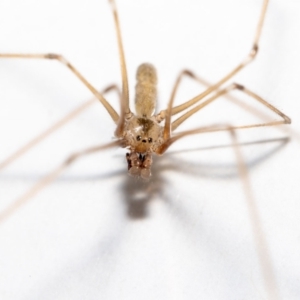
(125, 110)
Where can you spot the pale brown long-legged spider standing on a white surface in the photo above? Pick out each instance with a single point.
(145, 132)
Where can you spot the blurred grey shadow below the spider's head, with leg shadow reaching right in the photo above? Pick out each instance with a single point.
(138, 193)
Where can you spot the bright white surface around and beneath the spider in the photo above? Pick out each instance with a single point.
(85, 236)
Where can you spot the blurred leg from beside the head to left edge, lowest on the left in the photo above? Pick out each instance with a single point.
(50, 178)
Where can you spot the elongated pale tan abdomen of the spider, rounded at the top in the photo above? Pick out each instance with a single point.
(145, 89)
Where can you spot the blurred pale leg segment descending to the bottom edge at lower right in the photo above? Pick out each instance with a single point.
(262, 250)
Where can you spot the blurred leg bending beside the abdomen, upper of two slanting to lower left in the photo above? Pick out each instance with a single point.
(21, 151)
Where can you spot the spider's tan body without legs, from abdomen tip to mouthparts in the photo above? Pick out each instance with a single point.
(142, 133)
